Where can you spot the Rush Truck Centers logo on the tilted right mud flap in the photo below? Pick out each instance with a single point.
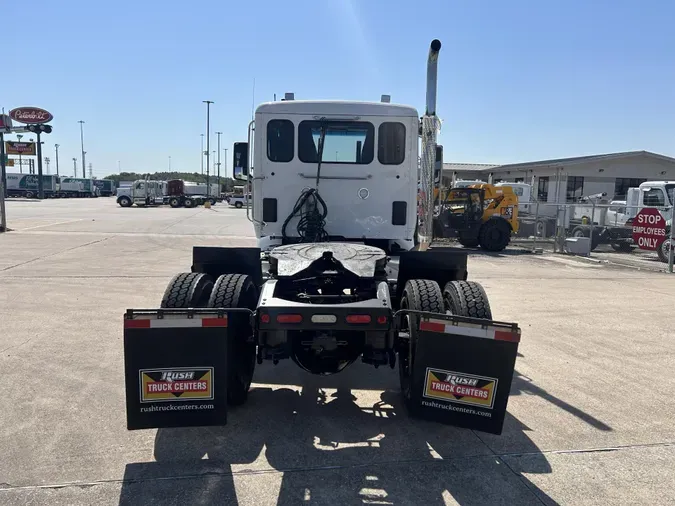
(460, 388)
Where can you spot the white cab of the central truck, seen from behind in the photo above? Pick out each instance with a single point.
(366, 177)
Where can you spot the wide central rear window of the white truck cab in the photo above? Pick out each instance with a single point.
(345, 142)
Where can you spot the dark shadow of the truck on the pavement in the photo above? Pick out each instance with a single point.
(312, 443)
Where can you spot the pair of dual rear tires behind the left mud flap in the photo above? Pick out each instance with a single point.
(199, 290)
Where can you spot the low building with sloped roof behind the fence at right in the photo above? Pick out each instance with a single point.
(573, 177)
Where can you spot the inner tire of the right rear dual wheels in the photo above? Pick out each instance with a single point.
(418, 295)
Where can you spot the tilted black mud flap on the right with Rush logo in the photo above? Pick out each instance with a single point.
(462, 371)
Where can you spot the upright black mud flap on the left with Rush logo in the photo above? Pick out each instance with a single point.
(175, 368)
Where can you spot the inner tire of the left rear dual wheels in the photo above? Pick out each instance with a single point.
(237, 291)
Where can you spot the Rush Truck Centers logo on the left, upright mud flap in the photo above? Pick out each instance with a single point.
(176, 384)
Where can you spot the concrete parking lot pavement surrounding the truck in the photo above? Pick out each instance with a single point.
(589, 418)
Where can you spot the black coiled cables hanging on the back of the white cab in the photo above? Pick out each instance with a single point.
(310, 207)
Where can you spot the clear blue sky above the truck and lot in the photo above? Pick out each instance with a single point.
(518, 80)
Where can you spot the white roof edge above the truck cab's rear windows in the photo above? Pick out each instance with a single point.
(336, 108)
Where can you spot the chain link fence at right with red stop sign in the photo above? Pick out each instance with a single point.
(602, 231)
